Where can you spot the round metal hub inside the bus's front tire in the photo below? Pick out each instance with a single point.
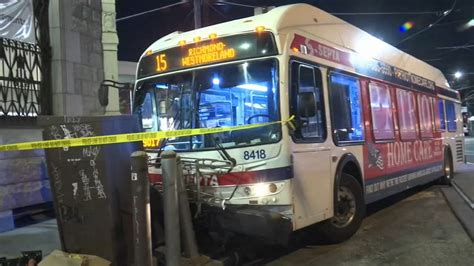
(345, 208)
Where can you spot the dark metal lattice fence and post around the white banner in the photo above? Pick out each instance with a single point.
(25, 82)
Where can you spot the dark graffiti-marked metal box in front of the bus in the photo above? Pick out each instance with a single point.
(91, 186)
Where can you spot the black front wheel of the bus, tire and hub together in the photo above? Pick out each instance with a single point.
(349, 211)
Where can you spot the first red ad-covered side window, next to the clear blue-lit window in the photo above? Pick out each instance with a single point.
(381, 107)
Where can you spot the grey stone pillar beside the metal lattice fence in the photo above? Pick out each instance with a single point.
(77, 60)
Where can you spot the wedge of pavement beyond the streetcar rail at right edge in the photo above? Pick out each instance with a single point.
(460, 197)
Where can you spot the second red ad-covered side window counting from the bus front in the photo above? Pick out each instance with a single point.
(406, 114)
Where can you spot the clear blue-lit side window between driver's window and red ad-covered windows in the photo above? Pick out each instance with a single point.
(346, 108)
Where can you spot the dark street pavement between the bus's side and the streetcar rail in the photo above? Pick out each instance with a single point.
(418, 230)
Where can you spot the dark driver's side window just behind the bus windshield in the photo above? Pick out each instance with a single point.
(307, 103)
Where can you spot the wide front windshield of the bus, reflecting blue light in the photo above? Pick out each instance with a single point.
(220, 96)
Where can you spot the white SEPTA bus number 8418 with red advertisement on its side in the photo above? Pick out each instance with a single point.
(370, 120)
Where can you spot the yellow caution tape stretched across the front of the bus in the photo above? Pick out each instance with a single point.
(130, 137)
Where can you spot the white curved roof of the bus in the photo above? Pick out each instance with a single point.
(320, 24)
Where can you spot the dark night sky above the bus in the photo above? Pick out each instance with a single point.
(446, 44)
